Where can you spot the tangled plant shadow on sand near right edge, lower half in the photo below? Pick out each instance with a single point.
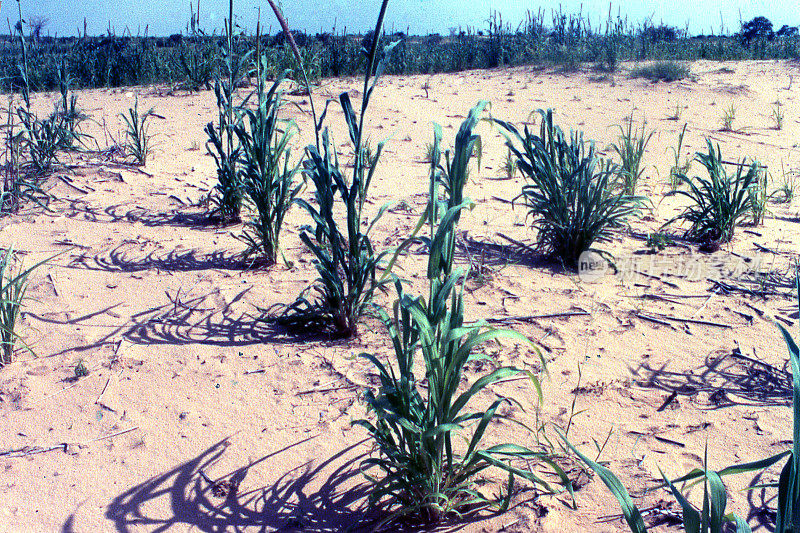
(728, 379)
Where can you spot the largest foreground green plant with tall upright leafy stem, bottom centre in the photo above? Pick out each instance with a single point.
(427, 474)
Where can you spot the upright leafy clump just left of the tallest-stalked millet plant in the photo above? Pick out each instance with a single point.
(267, 178)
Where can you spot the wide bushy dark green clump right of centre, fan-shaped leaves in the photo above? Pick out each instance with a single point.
(569, 194)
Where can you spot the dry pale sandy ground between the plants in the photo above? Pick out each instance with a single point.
(187, 387)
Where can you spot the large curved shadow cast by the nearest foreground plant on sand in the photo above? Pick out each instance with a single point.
(328, 496)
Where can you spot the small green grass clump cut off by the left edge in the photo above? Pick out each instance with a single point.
(13, 286)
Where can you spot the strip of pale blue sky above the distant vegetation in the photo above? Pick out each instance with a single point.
(165, 17)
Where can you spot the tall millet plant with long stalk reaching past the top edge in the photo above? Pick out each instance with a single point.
(346, 262)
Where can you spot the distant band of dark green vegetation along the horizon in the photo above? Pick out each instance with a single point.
(565, 40)
